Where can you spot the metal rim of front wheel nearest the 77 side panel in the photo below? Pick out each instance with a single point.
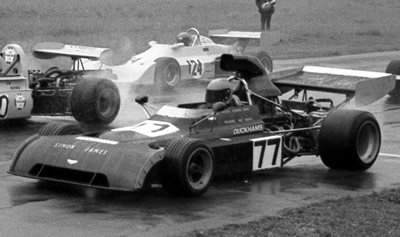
(199, 169)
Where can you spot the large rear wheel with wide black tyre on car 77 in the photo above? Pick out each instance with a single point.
(350, 140)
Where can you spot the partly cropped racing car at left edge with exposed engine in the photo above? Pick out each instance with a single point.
(87, 95)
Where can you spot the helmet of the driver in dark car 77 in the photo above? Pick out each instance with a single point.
(219, 90)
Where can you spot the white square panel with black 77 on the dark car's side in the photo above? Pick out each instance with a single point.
(267, 152)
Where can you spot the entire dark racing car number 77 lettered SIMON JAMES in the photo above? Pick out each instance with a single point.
(242, 126)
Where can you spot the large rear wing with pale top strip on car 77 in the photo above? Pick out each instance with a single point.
(366, 87)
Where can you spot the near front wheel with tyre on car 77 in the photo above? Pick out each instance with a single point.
(188, 167)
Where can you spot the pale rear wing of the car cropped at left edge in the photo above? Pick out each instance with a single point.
(49, 50)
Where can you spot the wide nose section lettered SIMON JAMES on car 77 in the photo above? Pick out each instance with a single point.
(85, 161)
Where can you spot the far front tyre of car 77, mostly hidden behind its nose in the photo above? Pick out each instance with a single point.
(57, 128)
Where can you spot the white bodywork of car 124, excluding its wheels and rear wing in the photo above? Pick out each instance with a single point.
(196, 61)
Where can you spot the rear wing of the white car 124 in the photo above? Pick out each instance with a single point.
(263, 38)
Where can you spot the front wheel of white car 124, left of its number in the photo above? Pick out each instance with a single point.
(167, 73)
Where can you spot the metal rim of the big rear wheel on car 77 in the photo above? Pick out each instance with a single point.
(368, 141)
